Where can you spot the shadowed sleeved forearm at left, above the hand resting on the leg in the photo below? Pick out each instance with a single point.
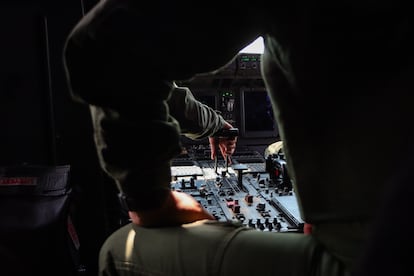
(142, 172)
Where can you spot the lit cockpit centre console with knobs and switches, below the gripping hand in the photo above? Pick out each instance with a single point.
(255, 192)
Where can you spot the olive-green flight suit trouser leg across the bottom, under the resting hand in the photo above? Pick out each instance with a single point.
(213, 248)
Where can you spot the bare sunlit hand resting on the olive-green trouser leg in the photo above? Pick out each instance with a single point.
(178, 209)
